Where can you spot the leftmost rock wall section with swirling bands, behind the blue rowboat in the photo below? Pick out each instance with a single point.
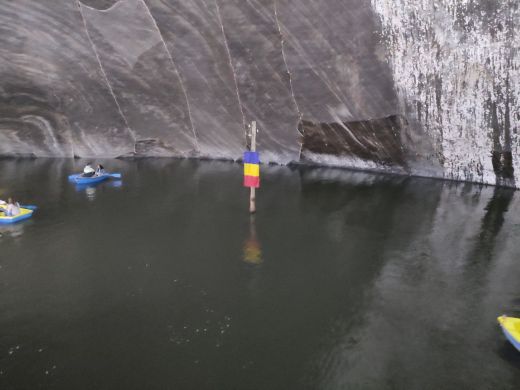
(53, 98)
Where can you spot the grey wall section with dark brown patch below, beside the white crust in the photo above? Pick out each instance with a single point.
(342, 84)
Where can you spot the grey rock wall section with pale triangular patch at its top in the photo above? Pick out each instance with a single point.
(143, 76)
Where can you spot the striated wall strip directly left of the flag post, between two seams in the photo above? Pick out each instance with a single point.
(192, 31)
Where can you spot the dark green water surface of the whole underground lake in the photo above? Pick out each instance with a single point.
(343, 281)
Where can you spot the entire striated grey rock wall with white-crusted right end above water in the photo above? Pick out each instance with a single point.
(409, 86)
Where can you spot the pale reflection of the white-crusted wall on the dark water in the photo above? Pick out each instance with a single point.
(437, 294)
